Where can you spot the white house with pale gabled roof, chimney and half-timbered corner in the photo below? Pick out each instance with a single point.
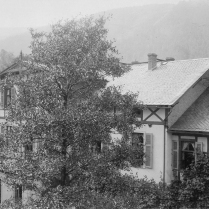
(175, 121)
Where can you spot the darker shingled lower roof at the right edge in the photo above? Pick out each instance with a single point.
(196, 117)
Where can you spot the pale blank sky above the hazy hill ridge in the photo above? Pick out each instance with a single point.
(36, 13)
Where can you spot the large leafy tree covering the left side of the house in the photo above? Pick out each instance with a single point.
(59, 146)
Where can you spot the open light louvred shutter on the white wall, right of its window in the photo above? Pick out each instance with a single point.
(148, 150)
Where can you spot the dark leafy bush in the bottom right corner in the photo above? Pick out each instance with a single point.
(192, 191)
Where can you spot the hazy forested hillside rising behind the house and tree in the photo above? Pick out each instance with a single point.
(180, 31)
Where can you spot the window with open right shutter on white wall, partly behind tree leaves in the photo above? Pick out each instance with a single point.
(145, 140)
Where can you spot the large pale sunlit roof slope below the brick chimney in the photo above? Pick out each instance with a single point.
(165, 84)
